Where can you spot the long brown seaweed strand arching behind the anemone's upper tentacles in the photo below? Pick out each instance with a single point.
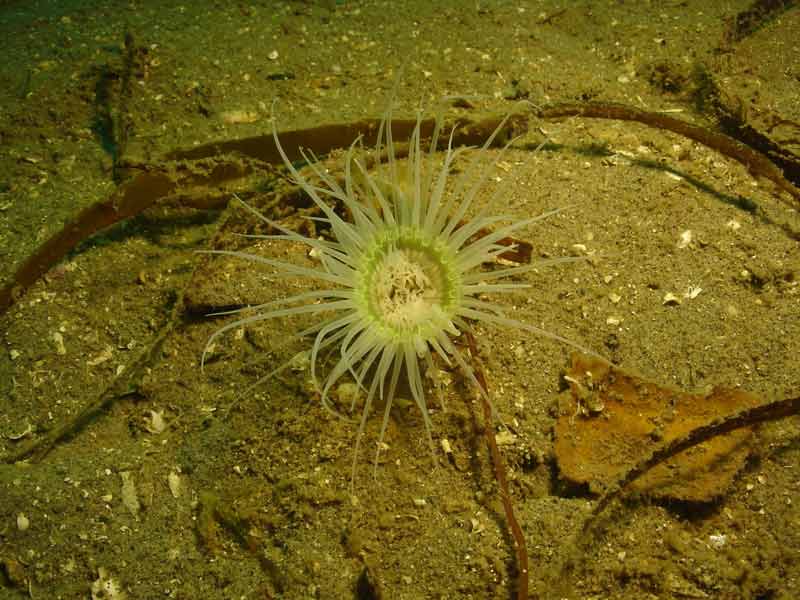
(213, 164)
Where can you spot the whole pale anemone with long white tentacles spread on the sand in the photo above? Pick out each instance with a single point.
(401, 266)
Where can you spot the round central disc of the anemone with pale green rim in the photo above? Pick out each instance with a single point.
(409, 286)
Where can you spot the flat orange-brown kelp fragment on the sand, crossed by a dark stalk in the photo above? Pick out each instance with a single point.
(614, 418)
